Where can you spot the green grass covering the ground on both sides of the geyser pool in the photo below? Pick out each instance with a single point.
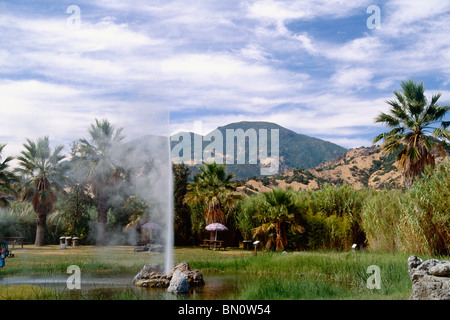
(303, 275)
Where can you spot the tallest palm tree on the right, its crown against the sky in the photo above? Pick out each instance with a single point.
(417, 129)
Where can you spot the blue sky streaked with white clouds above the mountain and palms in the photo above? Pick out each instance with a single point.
(157, 67)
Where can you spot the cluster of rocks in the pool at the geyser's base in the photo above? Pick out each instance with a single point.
(153, 276)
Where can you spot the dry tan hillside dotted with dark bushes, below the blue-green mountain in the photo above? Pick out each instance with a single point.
(361, 167)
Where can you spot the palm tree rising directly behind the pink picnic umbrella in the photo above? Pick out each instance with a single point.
(215, 188)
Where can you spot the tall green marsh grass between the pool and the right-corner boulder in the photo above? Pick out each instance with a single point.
(328, 275)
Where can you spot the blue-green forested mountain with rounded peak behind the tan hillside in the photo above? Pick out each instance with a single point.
(295, 150)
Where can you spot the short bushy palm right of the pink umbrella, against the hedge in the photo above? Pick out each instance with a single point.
(277, 217)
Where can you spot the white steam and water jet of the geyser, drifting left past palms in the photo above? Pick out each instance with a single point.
(142, 172)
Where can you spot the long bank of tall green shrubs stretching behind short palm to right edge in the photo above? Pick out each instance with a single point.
(416, 220)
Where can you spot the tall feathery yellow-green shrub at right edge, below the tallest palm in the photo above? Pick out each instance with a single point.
(416, 220)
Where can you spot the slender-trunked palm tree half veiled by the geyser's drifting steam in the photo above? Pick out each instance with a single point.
(97, 162)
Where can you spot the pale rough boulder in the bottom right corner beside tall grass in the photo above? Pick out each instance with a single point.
(430, 278)
